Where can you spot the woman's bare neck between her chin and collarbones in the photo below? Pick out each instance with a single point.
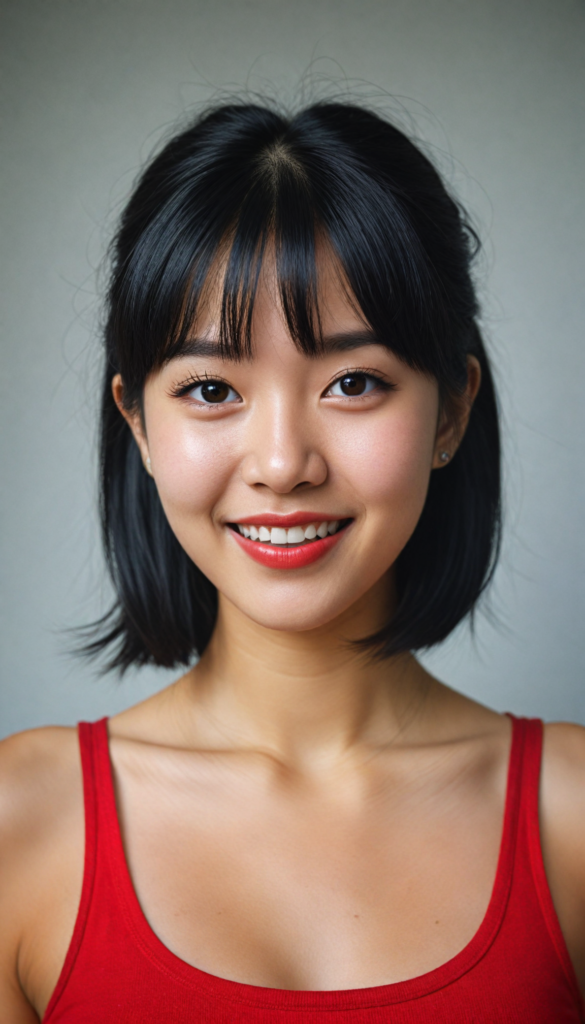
(308, 698)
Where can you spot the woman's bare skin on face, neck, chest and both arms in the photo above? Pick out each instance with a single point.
(295, 815)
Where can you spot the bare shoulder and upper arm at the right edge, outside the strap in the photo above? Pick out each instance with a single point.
(563, 832)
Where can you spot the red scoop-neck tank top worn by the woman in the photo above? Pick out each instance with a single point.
(516, 969)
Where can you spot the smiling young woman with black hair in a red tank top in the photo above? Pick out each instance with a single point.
(301, 485)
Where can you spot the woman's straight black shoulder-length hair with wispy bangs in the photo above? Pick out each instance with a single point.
(241, 178)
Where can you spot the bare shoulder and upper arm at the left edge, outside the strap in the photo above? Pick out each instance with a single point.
(41, 866)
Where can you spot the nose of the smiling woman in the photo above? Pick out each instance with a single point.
(282, 451)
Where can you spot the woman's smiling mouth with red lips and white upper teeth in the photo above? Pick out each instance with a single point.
(287, 542)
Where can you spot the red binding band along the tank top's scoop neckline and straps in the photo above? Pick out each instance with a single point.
(321, 1000)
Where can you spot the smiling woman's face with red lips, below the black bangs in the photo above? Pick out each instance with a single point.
(282, 444)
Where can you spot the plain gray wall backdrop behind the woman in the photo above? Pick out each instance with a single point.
(495, 89)
